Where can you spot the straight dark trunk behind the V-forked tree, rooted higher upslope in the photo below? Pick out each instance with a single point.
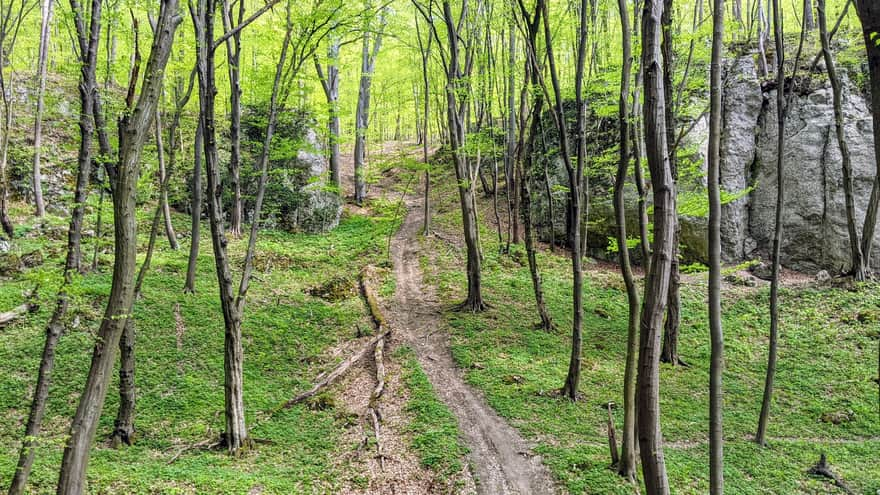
(233, 54)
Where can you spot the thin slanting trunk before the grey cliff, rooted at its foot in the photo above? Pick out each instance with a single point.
(856, 259)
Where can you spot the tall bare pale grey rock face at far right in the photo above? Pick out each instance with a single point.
(814, 224)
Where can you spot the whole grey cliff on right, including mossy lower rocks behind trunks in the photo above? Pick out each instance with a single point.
(814, 231)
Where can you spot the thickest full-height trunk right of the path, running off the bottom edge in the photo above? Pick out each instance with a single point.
(657, 284)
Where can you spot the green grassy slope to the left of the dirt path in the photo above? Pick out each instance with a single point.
(180, 392)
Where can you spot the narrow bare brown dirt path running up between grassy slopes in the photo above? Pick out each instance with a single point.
(502, 460)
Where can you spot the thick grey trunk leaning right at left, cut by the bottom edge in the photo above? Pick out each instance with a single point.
(134, 128)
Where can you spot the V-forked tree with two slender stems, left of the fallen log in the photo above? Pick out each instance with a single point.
(313, 28)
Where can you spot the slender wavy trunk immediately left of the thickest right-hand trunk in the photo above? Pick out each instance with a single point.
(627, 465)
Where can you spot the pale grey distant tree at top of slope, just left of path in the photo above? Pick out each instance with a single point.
(372, 42)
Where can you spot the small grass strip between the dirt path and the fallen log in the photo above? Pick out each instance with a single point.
(434, 429)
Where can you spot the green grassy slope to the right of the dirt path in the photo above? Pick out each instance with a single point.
(827, 360)
